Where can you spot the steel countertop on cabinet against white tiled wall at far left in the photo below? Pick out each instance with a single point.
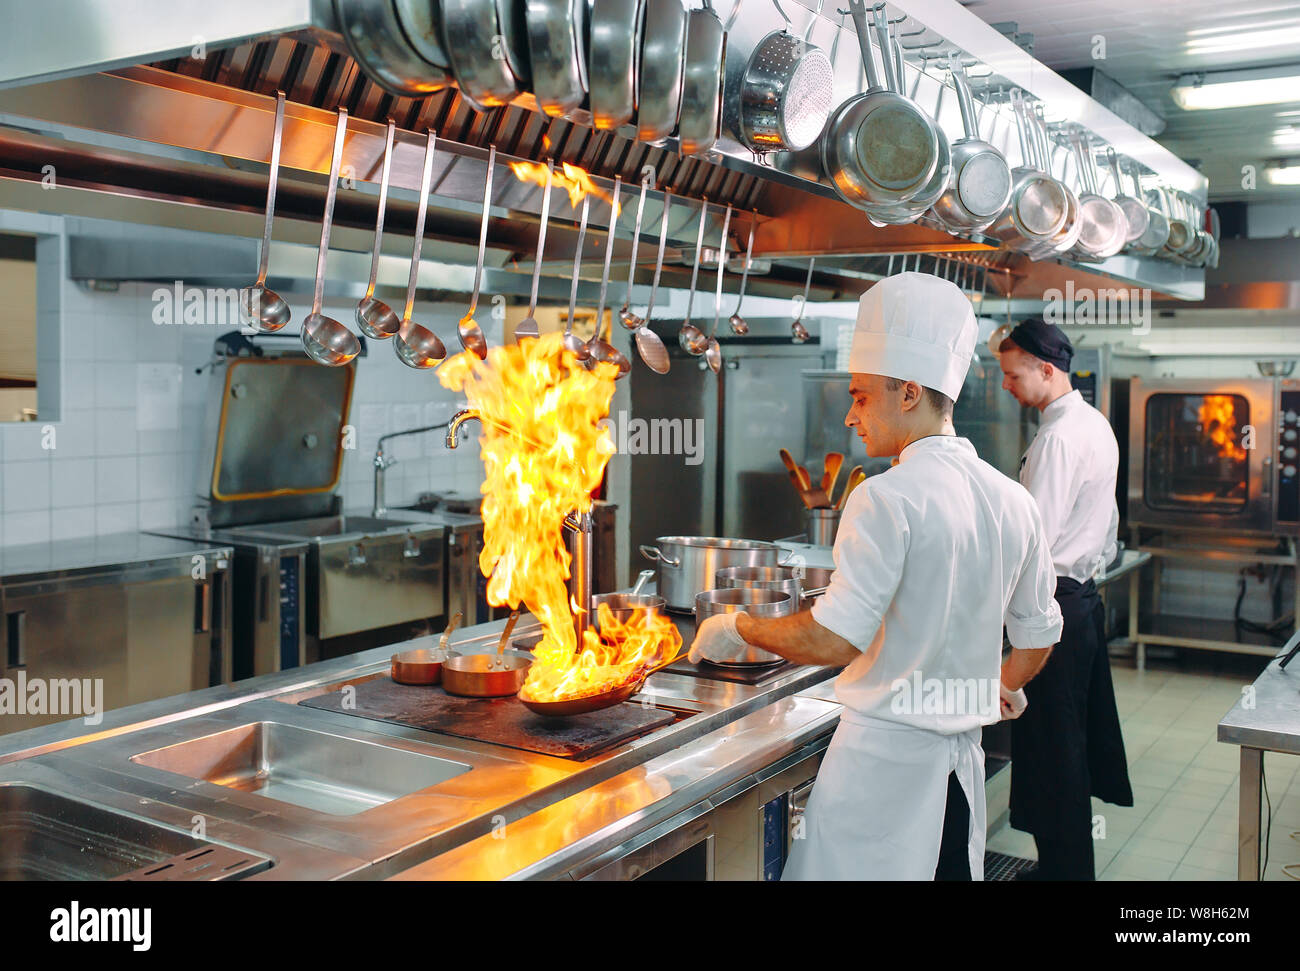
(54, 561)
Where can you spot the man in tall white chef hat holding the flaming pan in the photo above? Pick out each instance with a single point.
(933, 558)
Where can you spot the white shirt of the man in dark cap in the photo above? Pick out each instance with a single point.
(1071, 471)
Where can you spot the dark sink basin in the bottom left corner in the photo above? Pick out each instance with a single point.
(54, 838)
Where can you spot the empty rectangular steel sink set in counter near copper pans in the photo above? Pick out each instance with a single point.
(315, 770)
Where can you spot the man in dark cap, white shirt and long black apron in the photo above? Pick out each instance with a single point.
(1069, 747)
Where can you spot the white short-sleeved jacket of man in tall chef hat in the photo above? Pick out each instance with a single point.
(931, 560)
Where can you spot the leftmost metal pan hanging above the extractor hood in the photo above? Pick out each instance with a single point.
(375, 37)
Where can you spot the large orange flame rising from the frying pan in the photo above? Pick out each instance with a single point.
(544, 453)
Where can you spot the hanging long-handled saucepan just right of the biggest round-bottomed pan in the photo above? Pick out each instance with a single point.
(980, 184)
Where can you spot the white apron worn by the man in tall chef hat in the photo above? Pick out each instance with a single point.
(877, 812)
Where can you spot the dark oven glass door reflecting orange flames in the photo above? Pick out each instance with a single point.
(1195, 458)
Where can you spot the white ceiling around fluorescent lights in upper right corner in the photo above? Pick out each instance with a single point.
(1150, 44)
